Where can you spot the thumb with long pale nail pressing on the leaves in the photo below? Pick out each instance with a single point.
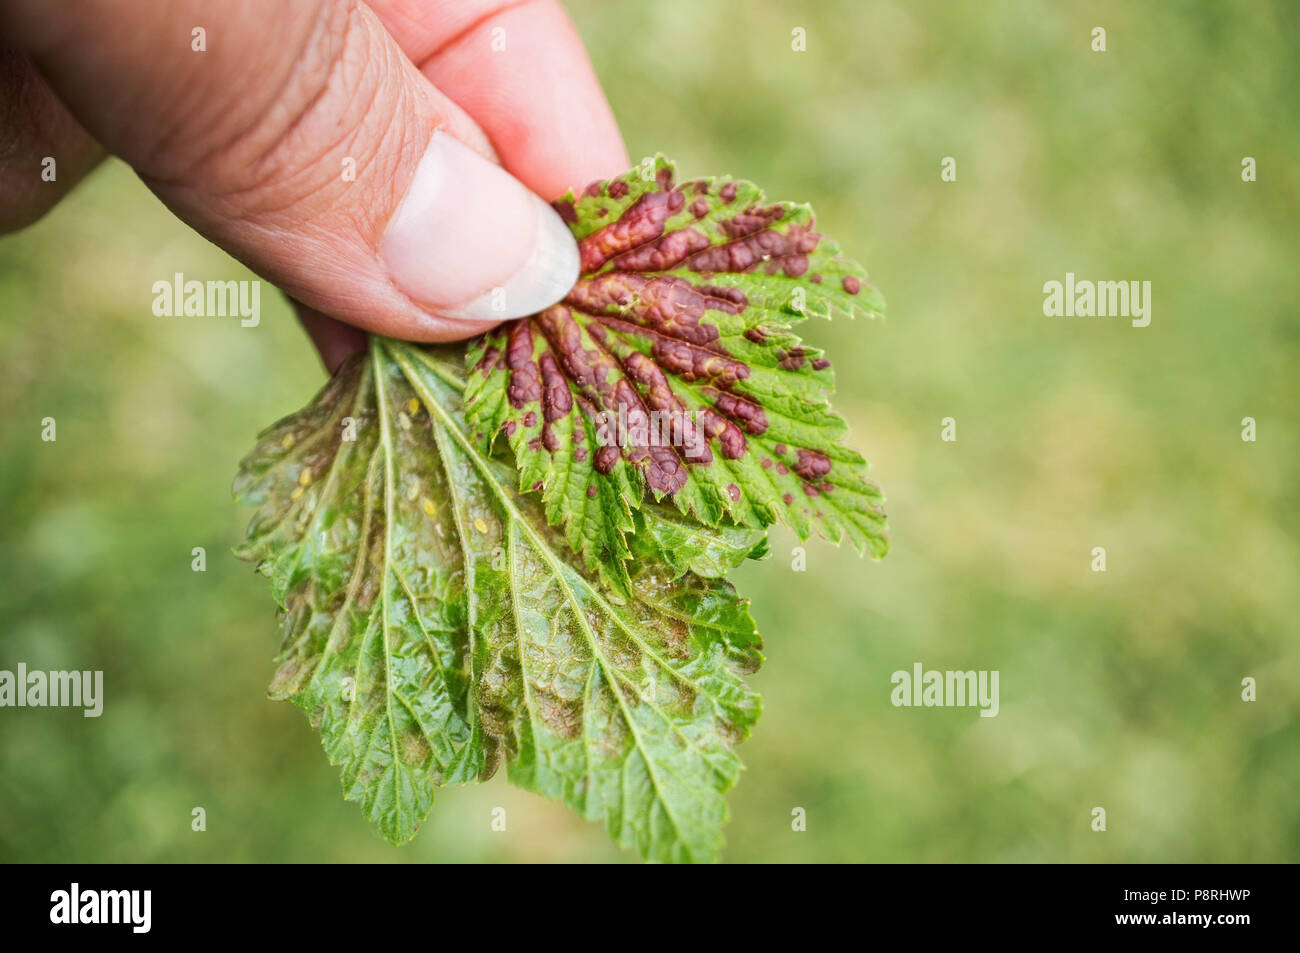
(298, 137)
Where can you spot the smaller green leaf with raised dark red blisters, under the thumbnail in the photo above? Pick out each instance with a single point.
(671, 367)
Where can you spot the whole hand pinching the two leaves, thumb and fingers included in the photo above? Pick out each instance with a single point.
(382, 163)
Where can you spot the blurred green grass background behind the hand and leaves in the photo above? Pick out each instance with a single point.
(1119, 690)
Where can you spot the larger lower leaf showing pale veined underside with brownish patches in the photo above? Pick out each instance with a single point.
(436, 625)
